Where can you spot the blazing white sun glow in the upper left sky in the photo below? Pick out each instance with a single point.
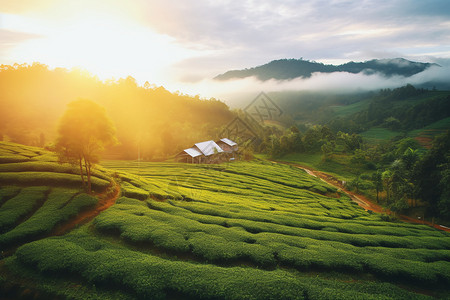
(105, 45)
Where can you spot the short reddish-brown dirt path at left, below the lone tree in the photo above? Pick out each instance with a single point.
(104, 202)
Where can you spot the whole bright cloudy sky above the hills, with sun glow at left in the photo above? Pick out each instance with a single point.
(182, 45)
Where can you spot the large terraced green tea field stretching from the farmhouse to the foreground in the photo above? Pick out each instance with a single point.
(244, 230)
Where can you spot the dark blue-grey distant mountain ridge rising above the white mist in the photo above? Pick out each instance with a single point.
(285, 69)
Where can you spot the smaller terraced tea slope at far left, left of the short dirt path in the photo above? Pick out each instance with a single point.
(38, 194)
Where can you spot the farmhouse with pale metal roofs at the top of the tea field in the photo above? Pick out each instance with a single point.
(209, 152)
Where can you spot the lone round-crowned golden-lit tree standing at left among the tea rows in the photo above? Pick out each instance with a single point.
(84, 131)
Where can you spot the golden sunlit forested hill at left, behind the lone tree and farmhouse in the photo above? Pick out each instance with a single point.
(149, 120)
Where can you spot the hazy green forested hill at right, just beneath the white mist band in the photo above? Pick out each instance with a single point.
(402, 109)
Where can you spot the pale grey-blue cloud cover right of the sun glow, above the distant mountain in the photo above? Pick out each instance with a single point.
(250, 33)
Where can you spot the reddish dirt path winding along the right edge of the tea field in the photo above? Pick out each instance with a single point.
(361, 200)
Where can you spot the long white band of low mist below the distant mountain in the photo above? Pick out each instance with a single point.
(238, 92)
